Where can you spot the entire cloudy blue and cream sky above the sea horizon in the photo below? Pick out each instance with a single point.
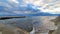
(29, 7)
